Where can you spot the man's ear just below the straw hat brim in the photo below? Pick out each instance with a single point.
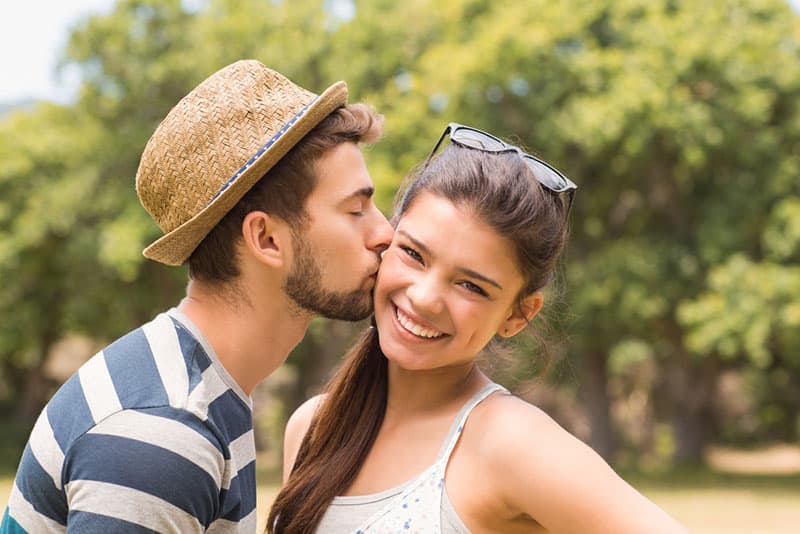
(266, 238)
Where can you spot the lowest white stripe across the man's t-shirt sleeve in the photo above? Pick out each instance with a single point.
(129, 505)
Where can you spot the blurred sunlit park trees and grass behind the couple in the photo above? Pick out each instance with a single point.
(673, 330)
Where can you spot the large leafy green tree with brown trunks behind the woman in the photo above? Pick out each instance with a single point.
(679, 121)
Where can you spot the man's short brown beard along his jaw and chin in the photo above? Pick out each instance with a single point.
(304, 287)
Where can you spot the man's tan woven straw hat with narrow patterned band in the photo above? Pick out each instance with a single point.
(216, 143)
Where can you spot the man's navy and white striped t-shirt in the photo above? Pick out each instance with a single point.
(150, 435)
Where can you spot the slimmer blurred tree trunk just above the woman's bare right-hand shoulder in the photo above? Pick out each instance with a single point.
(597, 403)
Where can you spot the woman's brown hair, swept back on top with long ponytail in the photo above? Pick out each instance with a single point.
(502, 191)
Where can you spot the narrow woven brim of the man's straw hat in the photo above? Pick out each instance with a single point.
(175, 247)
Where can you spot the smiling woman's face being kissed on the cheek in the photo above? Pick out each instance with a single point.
(446, 285)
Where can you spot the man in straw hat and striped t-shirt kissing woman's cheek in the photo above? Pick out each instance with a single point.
(154, 433)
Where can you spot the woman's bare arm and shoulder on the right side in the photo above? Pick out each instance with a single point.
(548, 474)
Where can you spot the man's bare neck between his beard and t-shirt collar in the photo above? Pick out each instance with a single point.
(252, 336)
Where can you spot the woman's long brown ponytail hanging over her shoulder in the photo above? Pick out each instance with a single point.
(338, 439)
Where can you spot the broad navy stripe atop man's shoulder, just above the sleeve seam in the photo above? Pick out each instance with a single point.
(134, 373)
